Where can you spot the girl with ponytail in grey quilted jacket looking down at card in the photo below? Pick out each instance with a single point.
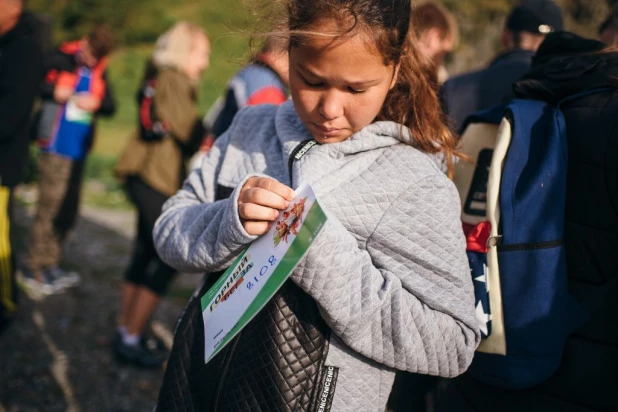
(386, 284)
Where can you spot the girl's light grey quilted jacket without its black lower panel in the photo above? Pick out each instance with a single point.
(388, 271)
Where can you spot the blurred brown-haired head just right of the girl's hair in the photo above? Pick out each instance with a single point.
(437, 32)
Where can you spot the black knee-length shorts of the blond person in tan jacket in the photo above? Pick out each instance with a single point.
(146, 268)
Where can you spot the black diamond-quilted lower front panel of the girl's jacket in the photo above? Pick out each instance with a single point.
(276, 369)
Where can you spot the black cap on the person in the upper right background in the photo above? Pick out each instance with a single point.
(535, 16)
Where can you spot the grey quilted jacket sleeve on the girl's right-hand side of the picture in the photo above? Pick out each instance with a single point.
(406, 299)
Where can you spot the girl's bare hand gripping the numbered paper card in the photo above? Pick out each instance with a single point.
(260, 201)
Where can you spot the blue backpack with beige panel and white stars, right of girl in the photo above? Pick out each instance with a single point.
(513, 209)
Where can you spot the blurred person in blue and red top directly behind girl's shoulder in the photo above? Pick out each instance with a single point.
(263, 81)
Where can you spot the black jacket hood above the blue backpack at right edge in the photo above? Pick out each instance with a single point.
(566, 64)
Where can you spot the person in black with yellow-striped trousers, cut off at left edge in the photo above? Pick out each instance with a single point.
(21, 70)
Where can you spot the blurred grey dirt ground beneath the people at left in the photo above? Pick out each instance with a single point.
(56, 356)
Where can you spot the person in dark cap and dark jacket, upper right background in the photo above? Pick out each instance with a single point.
(526, 27)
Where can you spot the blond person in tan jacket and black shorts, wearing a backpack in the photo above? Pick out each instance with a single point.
(153, 167)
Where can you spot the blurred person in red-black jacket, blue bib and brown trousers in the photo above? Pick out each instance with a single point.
(75, 91)
